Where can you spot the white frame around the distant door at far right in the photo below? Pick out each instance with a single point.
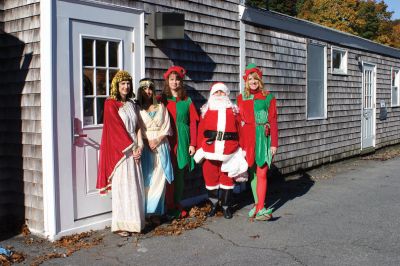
(373, 104)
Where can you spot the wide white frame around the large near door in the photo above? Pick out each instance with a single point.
(61, 218)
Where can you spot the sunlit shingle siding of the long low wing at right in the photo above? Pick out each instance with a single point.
(308, 143)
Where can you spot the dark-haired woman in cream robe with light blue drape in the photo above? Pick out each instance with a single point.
(156, 161)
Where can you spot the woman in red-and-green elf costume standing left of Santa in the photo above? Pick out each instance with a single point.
(183, 140)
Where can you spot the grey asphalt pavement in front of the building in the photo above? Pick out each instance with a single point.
(347, 214)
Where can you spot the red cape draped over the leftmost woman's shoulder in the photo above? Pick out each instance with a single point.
(114, 141)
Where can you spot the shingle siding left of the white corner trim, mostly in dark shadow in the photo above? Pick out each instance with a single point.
(20, 133)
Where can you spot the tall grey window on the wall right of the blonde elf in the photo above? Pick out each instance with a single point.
(316, 81)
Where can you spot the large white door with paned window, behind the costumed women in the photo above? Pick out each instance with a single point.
(98, 52)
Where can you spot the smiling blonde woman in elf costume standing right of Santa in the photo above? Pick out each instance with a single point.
(259, 135)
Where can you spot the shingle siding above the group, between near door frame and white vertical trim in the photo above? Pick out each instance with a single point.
(210, 51)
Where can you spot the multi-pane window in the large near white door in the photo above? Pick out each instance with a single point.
(100, 62)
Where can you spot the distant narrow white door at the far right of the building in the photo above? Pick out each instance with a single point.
(368, 106)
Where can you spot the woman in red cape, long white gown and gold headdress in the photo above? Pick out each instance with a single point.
(119, 161)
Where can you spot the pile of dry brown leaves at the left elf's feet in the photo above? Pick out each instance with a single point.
(197, 217)
